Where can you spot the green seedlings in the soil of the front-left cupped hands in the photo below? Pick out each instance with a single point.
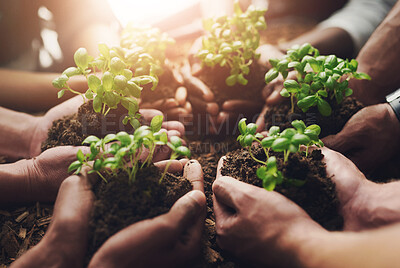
(125, 151)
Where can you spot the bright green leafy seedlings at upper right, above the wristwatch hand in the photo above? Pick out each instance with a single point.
(319, 78)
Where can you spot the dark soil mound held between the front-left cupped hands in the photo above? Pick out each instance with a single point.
(119, 204)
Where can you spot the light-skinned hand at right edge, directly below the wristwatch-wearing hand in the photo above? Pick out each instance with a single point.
(363, 204)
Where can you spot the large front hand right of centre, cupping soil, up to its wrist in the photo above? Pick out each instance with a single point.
(257, 225)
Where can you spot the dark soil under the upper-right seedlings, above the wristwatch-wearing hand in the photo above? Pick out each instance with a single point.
(281, 116)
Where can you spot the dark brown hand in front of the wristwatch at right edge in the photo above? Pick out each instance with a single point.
(369, 138)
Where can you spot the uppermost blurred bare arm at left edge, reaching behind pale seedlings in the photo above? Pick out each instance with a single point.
(33, 92)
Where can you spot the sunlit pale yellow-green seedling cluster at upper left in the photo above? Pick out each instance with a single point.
(118, 74)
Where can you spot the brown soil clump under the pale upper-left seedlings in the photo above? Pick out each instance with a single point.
(74, 129)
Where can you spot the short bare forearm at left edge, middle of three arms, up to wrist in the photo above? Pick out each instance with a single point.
(16, 133)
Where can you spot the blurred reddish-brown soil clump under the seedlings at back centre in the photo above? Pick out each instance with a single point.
(214, 78)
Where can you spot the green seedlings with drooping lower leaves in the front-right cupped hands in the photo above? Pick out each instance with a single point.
(287, 141)
